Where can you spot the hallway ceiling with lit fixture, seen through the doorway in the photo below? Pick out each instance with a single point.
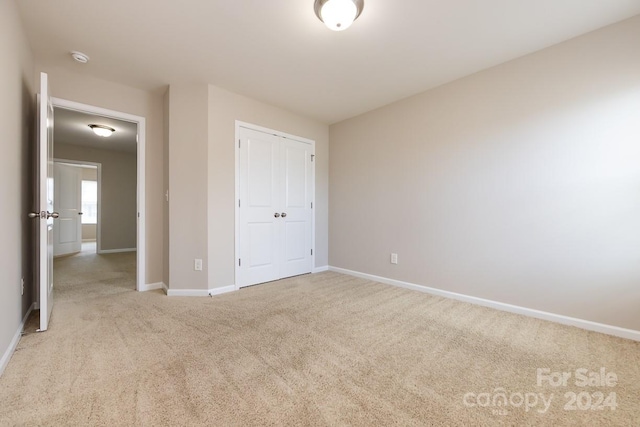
(72, 127)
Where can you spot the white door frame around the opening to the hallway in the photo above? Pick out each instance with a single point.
(141, 198)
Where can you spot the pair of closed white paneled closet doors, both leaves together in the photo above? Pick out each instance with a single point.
(275, 207)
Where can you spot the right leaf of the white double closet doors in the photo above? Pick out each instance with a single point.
(295, 169)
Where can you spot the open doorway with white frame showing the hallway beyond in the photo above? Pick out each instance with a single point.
(106, 177)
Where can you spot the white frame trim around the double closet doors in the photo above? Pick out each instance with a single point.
(240, 124)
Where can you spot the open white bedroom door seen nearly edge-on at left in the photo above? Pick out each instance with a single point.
(46, 214)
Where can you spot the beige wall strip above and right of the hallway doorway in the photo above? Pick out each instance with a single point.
(81, 87)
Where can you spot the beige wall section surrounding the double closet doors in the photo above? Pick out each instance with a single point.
(224, 109)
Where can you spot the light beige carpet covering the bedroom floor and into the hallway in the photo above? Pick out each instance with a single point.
(324, 349)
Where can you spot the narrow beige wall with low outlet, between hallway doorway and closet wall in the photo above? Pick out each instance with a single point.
(187, 185)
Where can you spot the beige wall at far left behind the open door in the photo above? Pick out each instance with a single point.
(16, 167)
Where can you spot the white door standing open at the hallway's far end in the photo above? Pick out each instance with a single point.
(67, 234)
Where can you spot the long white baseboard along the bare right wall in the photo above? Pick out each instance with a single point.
(557, 318)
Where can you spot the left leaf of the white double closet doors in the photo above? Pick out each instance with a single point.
(259, 198)
